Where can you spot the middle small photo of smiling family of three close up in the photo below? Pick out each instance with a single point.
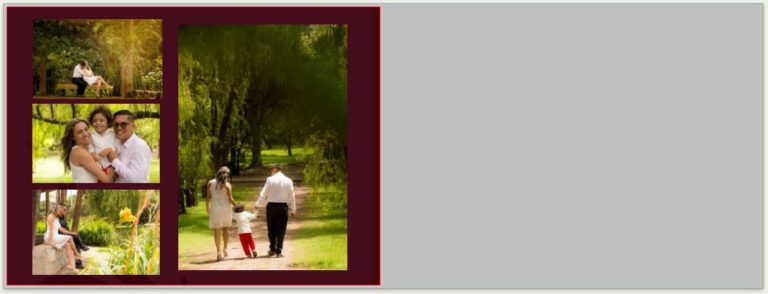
(85, 143)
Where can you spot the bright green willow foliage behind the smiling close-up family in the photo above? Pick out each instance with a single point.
(49, 120)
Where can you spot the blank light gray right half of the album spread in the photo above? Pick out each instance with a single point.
(572, 146)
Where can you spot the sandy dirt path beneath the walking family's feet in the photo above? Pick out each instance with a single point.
(236, 259)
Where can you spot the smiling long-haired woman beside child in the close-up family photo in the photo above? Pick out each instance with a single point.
(75, 156)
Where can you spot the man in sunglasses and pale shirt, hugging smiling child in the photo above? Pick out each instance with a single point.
(132, 163)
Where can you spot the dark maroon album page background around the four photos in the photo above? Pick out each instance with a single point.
(364, 153)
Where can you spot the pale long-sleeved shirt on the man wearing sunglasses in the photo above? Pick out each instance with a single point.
(133, 161)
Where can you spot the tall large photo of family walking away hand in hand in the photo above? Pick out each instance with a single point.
(263, 147)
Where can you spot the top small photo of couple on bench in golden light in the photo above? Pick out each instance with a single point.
(110, 58)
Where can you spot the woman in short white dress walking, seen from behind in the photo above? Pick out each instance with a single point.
(219, 203)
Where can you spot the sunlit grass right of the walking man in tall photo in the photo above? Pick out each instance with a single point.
(322, 240)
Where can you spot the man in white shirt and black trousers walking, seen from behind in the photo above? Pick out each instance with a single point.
(279, 198)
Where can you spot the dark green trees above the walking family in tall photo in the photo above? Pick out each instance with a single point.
(240, 84)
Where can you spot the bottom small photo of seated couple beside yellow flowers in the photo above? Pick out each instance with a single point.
(96, 232)
